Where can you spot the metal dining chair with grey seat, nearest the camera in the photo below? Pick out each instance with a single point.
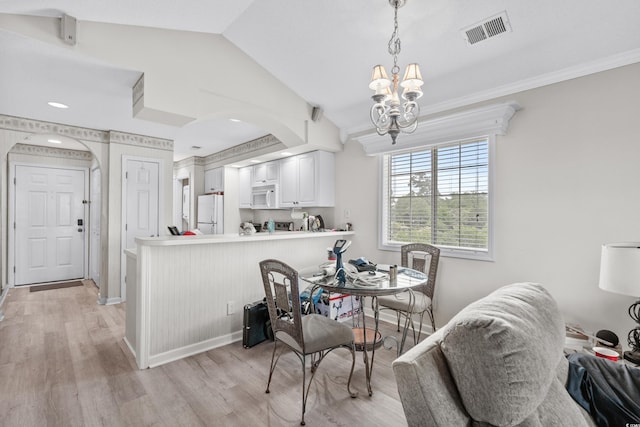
(309, 335)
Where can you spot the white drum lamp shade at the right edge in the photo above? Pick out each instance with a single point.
(620, 268)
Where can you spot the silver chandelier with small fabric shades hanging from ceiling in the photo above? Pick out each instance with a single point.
(387, 113)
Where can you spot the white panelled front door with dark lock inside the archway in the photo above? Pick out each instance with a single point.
(49, 224)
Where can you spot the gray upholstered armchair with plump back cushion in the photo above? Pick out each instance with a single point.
(499, 362)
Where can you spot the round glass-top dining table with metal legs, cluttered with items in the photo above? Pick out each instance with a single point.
(369, 284)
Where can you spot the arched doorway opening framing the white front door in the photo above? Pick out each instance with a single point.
(52, 234)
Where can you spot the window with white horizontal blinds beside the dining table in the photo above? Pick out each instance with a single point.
(438, 196)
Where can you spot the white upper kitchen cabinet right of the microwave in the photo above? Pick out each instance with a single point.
(308, 180)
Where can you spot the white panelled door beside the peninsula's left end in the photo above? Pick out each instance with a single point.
(141, 195)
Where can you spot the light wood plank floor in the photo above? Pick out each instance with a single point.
(63, 362)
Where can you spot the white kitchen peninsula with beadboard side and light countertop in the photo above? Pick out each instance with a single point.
(185, 294)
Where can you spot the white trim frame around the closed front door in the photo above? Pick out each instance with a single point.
(11, 235)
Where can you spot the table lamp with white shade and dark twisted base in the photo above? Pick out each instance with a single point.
(620, 273)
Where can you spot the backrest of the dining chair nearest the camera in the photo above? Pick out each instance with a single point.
(283, 298)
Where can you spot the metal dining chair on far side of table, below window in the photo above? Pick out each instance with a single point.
(415, 256)
